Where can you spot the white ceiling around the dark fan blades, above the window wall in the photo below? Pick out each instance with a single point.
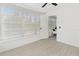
(37, 7)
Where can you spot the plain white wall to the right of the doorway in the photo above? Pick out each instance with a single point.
(68, 19)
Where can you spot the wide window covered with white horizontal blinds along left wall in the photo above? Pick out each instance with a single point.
(19, 22)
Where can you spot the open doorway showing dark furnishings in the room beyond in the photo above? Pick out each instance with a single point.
(52, 26)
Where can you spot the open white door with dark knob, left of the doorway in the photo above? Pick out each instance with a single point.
(43, 27)
